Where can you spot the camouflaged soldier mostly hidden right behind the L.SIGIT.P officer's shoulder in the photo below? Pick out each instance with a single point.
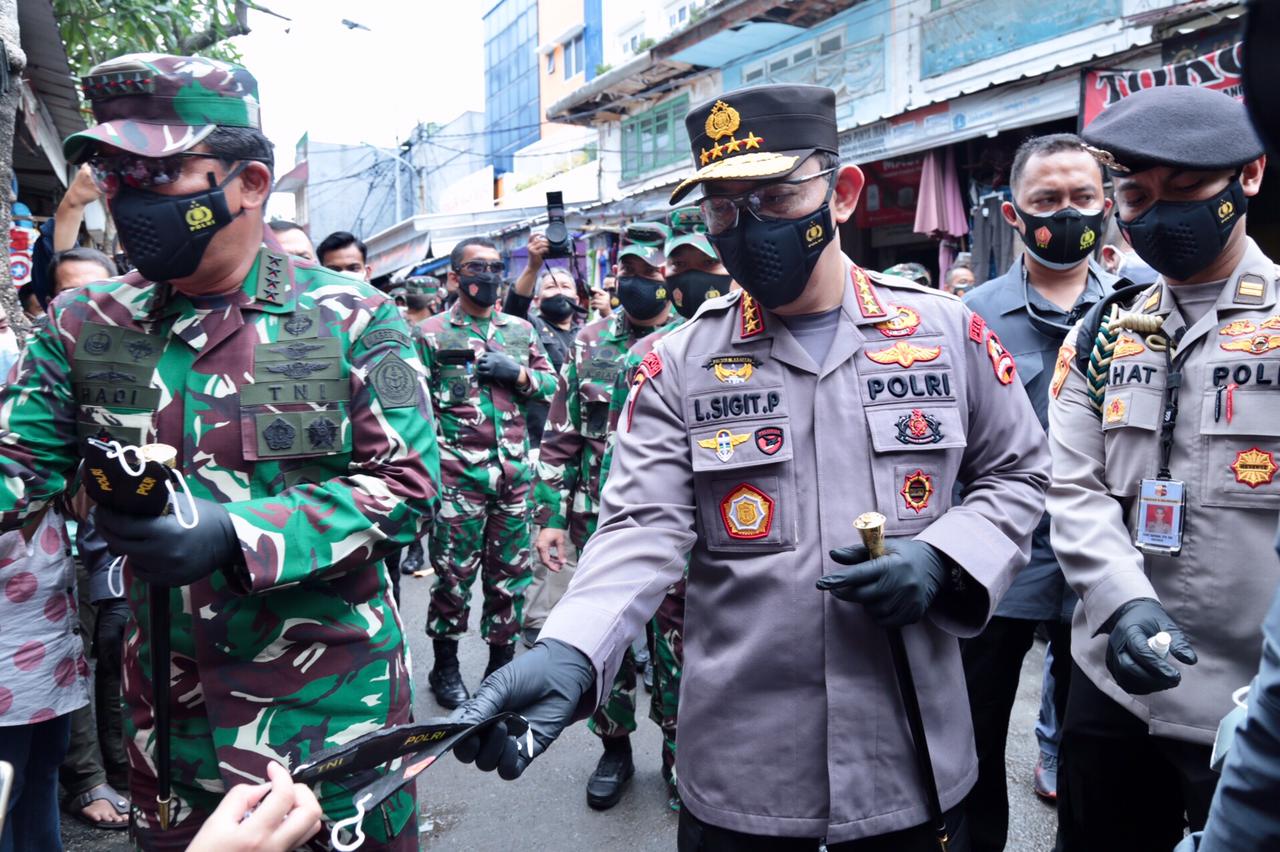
(694, 274)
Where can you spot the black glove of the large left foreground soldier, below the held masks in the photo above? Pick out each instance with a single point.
(163, 553)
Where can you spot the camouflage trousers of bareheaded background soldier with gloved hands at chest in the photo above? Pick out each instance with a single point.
(487, 532)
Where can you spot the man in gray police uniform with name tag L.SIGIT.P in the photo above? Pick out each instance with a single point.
(755, 436)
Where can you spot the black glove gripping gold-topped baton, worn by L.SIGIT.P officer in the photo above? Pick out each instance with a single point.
(895, 589)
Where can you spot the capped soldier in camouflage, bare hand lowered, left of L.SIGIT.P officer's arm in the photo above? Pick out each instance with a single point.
(568, 497)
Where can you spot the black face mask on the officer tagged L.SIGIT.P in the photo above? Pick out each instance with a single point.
(774, 260)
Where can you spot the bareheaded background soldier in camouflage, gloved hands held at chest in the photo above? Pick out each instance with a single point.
(484, 368)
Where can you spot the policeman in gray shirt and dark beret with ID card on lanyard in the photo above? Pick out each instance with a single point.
(1167, 393)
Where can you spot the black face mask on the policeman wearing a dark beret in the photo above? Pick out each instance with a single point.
(1182, 239)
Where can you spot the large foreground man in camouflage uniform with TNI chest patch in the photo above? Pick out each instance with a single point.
(295, 400)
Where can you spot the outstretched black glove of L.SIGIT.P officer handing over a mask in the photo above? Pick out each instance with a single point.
(545, 686)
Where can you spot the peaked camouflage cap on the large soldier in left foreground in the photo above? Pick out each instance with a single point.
(158, 106)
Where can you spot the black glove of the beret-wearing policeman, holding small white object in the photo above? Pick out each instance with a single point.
(1132, 663)
